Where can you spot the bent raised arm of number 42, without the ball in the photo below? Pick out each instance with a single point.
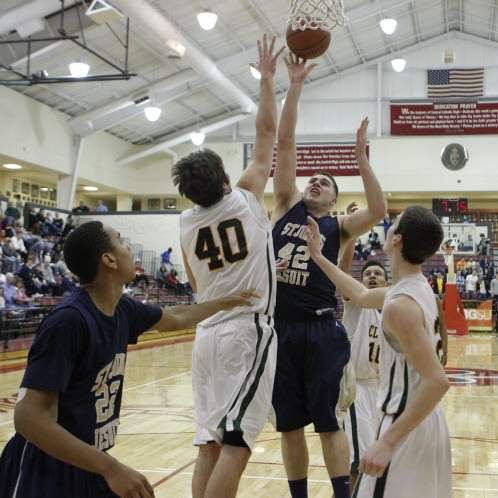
(364, 219)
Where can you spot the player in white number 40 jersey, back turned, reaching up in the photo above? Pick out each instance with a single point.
(227, 244)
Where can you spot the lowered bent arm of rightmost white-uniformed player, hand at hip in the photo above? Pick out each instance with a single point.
(403, 319)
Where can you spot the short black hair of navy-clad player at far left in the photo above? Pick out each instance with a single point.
(84, 248)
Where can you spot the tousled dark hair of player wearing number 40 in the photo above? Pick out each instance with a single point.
(200, 177)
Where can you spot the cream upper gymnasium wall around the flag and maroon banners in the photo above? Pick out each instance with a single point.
(330, 110)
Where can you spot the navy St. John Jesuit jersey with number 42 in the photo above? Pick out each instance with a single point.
(303, 288)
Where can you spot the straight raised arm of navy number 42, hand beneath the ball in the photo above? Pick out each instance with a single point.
(285, 190)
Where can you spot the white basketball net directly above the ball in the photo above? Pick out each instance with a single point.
(316, 14)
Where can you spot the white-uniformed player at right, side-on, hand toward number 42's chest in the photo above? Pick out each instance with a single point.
(411, 457)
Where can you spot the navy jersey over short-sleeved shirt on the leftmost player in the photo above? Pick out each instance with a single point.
(81, 353)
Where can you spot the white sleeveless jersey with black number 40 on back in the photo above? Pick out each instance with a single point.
(229, 248)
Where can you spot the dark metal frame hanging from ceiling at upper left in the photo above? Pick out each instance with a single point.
(41, 78)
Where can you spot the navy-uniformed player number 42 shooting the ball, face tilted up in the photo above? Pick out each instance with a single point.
(313, 348)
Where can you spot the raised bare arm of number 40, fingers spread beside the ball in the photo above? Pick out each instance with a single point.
(256, 174)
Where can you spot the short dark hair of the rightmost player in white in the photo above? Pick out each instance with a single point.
(421, 232)
